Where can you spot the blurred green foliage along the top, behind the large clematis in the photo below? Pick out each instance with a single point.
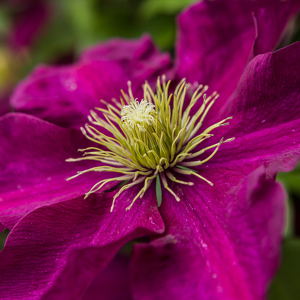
(76, 24)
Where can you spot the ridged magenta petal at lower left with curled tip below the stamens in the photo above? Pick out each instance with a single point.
(56, 251)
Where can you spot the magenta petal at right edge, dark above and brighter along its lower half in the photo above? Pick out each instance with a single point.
(266, 112)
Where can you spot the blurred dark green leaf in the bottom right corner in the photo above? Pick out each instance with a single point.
(286, 285)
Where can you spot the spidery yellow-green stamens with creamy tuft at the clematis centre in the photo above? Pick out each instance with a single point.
(151, 140)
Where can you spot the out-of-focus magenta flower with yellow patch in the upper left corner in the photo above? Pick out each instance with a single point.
(28, 17)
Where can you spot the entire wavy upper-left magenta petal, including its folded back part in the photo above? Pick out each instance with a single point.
(65, 95)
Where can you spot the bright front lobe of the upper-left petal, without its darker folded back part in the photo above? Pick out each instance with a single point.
(65, 95)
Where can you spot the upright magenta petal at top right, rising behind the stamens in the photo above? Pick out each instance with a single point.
(216, 40)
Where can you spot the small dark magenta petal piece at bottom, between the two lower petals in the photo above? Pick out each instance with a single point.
(112, 283)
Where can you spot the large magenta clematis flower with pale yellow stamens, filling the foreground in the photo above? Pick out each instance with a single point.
(217, 242)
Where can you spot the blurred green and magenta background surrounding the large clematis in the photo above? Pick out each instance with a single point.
(55, 32)
